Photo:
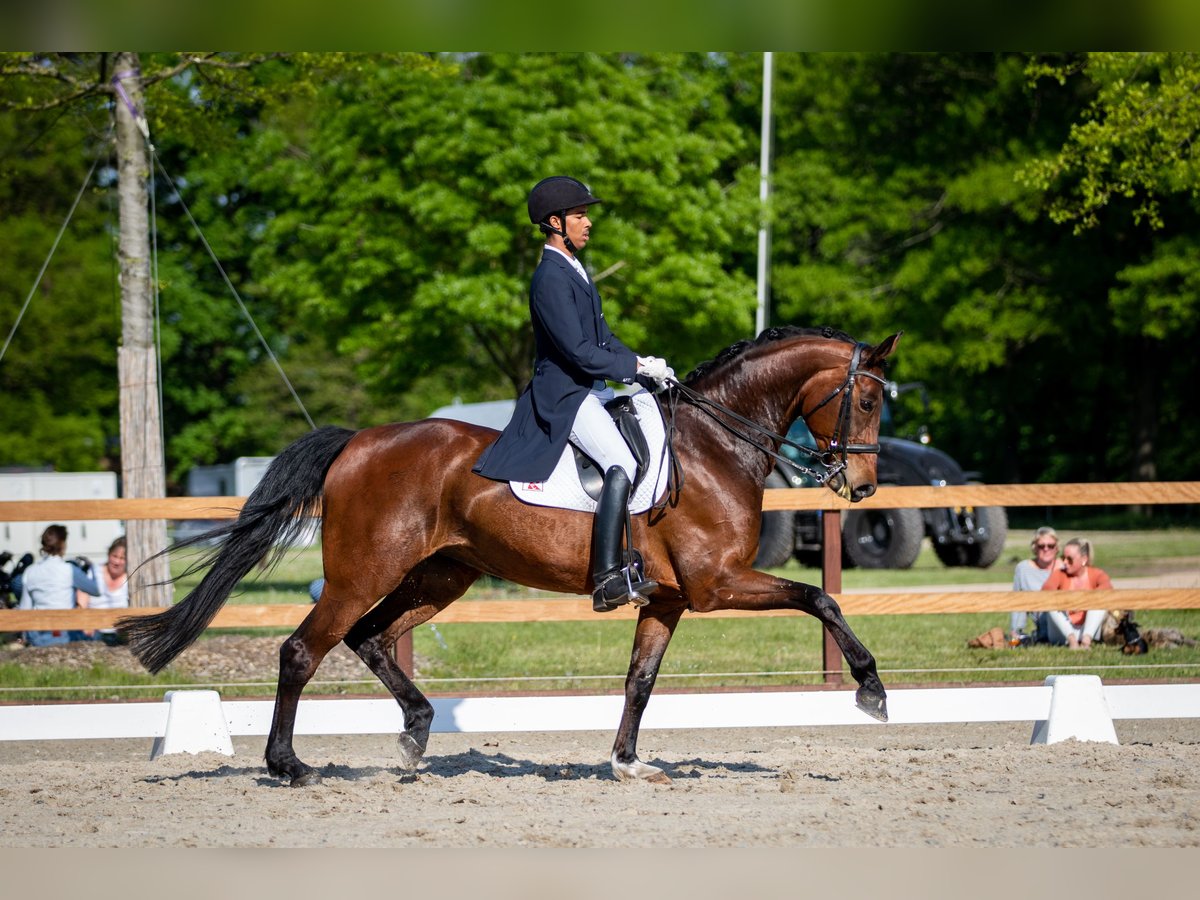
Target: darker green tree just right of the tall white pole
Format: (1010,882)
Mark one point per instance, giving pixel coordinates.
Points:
(896,207)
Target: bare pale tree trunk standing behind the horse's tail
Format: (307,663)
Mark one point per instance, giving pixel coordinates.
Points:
(143,472)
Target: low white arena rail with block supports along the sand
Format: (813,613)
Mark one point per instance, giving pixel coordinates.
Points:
(1065,707)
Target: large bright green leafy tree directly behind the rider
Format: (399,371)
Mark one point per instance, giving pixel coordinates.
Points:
(395,221)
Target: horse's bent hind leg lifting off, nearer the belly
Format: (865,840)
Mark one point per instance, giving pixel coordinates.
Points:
(427,591)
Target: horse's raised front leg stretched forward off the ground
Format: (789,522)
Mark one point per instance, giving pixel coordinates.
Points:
(752,590)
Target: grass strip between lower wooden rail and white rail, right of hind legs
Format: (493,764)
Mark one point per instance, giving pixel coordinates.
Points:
(707,653)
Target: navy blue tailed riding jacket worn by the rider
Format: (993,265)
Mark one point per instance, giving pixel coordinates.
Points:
(575,353)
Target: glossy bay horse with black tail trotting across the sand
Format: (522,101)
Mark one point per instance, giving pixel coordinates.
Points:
(406,520)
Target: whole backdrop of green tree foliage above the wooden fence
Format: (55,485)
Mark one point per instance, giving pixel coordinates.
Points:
(1028,221)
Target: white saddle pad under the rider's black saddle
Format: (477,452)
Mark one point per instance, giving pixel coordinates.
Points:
(575,483)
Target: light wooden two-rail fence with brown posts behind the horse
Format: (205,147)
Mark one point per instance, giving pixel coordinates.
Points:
(580,609)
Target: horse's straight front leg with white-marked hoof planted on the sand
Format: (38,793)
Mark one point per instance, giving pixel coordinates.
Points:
(655,631)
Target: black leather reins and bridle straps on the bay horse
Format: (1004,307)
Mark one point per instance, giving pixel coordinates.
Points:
(832,461)
